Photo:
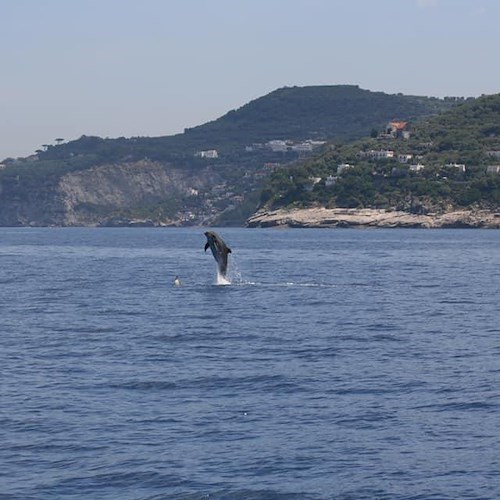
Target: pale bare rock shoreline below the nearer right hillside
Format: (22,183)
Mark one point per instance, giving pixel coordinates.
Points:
(346,217)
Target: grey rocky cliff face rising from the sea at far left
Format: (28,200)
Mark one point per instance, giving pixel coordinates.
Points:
(94,196)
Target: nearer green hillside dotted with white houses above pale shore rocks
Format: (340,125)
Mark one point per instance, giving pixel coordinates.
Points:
(448,162)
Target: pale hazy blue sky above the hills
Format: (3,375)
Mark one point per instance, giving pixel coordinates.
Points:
(154,67)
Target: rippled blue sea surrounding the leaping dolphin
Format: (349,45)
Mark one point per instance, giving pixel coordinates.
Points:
(338,364)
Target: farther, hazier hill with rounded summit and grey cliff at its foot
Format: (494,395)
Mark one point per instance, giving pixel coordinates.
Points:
(209,174)
